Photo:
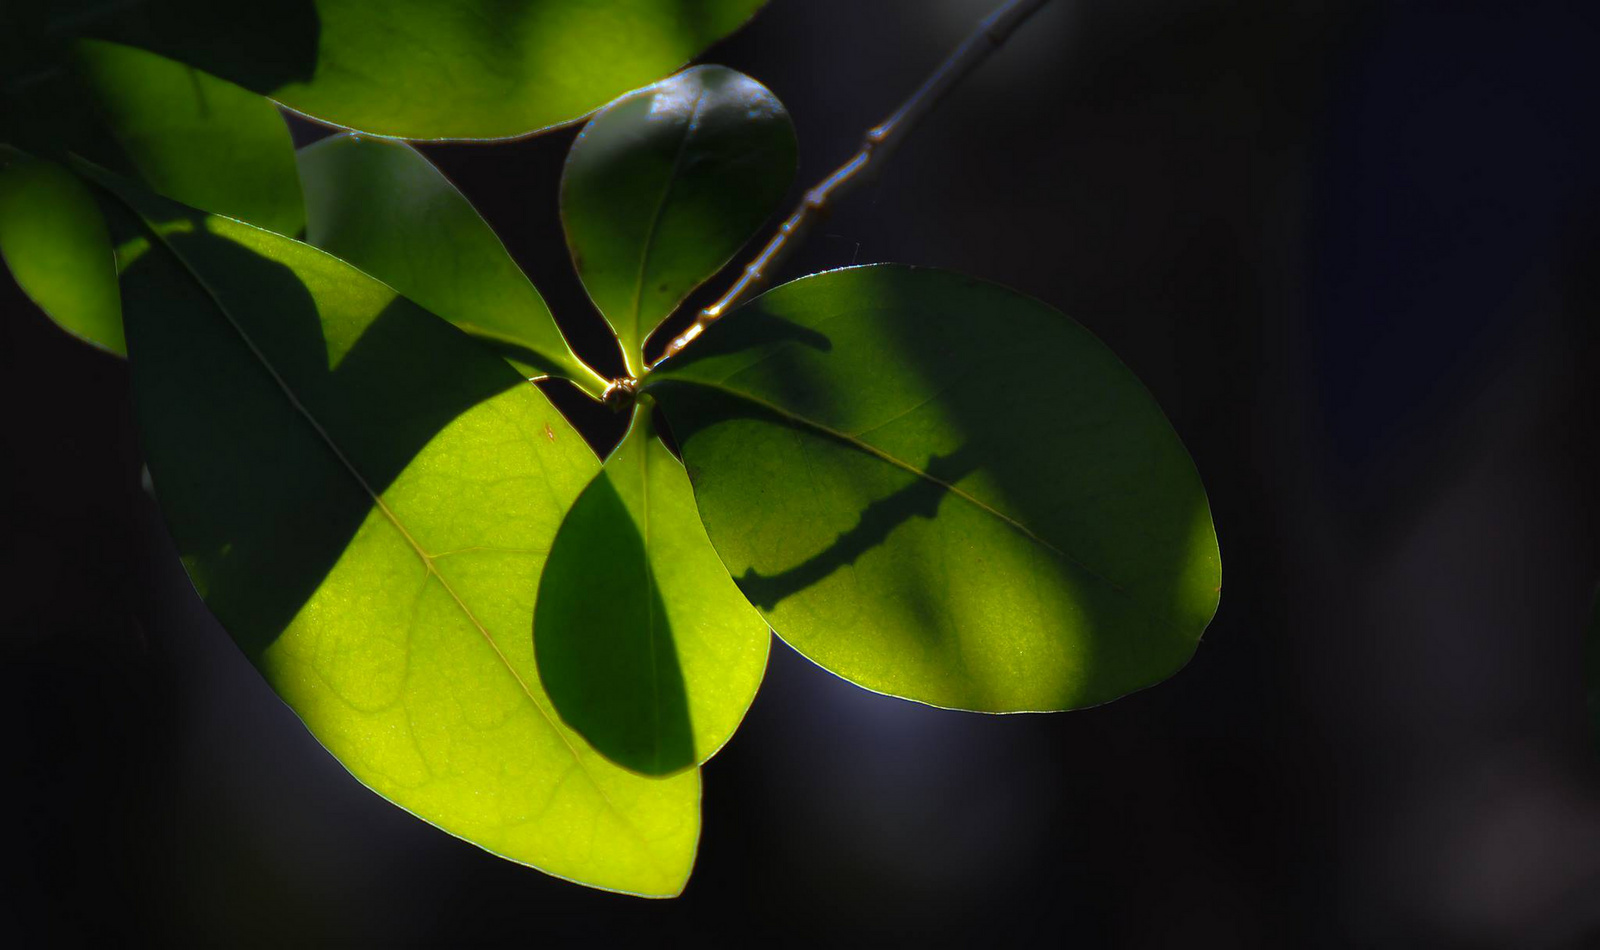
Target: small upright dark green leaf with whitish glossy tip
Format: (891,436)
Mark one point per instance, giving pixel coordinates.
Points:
(665,186)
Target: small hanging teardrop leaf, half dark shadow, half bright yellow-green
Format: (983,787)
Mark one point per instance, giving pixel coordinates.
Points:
(644,642)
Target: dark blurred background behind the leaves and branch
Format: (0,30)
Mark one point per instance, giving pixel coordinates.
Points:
(1353,250)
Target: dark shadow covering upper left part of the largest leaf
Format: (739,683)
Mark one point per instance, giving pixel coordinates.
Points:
(265,437)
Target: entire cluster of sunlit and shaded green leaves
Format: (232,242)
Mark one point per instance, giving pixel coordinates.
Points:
(930,485)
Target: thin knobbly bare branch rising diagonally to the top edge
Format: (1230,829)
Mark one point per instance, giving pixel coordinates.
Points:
(878,146)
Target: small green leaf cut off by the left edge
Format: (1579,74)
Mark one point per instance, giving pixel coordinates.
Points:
(55,242)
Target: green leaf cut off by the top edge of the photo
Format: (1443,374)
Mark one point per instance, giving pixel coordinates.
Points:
(422,70)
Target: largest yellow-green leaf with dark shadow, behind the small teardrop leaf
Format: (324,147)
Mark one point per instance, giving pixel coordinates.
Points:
(366,500)
